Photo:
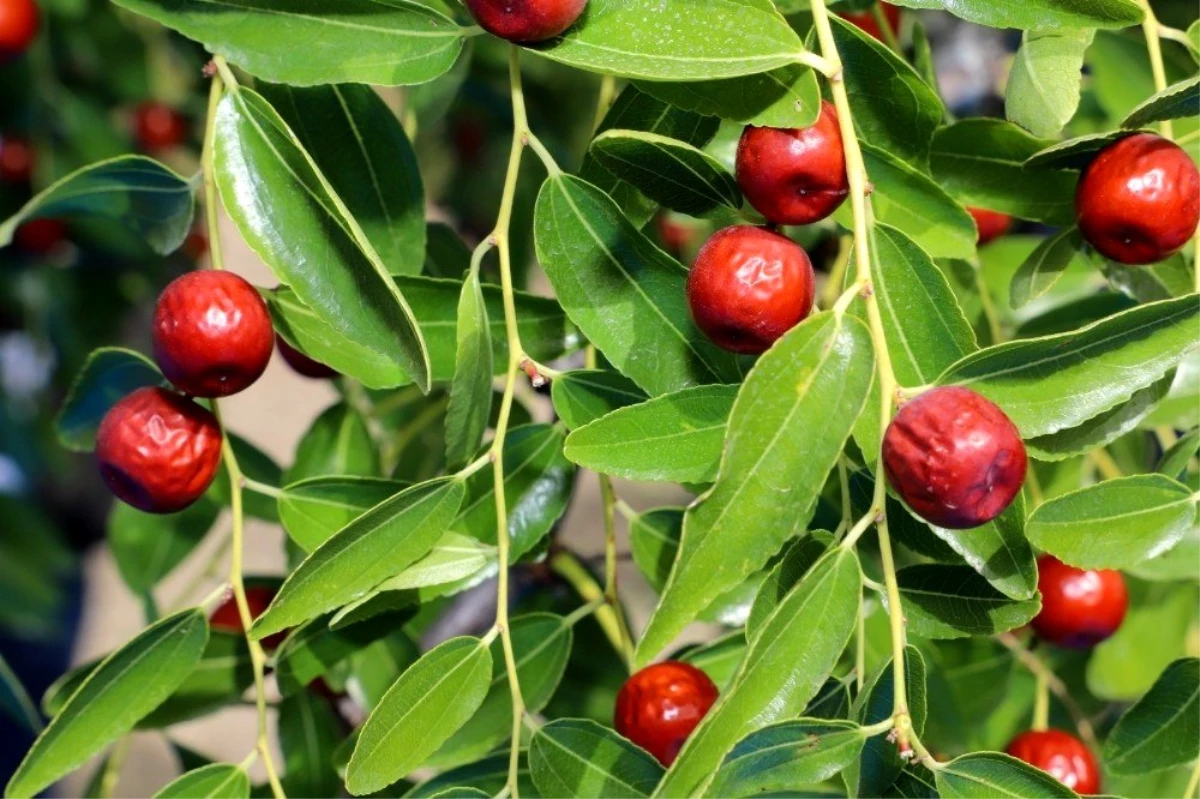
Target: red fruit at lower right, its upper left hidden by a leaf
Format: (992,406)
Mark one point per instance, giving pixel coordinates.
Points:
(1081,608)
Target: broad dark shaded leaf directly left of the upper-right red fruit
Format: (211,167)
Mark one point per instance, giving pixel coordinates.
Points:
(982,163)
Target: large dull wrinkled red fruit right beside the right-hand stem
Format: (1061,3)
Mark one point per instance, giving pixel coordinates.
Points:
(955,458)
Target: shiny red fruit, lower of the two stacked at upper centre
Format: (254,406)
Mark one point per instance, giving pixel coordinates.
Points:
(748,287)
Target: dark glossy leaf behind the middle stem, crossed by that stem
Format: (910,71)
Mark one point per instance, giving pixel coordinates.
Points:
(538,484)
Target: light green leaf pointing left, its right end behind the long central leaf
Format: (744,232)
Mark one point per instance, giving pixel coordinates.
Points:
(673,438)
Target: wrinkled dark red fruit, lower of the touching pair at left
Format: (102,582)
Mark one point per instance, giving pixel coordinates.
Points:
(158,450)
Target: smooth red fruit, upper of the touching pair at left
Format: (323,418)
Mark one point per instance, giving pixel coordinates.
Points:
(212,334)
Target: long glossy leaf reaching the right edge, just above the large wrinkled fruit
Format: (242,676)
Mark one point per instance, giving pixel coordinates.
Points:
(1059,382)
